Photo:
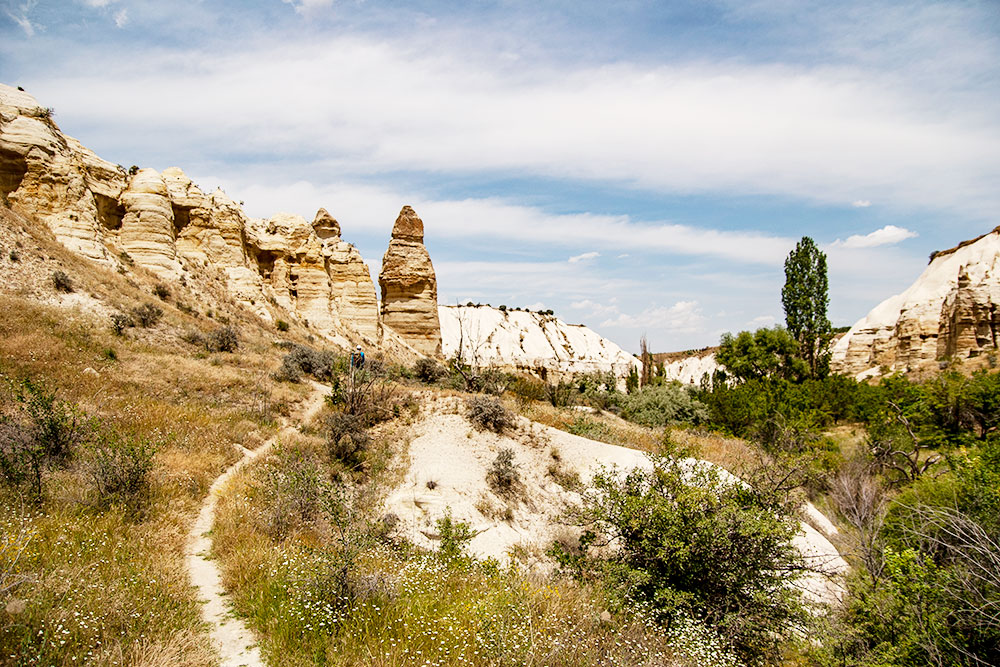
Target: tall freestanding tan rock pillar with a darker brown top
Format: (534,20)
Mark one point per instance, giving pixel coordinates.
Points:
(409,287)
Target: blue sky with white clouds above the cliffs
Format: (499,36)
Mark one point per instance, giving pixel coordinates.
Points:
(640,167)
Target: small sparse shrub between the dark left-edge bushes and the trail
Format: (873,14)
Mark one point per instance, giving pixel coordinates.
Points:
(119,468)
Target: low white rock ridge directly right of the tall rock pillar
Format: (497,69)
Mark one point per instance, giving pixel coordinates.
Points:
(527,341)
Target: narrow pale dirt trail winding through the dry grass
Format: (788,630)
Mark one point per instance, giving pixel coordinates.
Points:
(233,640)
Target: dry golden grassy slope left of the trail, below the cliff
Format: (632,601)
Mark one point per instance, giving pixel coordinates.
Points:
(109,584)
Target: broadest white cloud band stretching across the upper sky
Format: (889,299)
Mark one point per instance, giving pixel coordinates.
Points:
(818,133)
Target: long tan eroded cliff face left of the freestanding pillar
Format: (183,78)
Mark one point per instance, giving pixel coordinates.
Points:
(166,224)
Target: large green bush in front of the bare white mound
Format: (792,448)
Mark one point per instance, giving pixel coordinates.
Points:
(687,542)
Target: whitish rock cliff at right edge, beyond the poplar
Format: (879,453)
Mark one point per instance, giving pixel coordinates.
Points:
(950,312)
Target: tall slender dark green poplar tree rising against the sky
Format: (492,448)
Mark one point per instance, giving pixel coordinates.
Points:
(805,299)
